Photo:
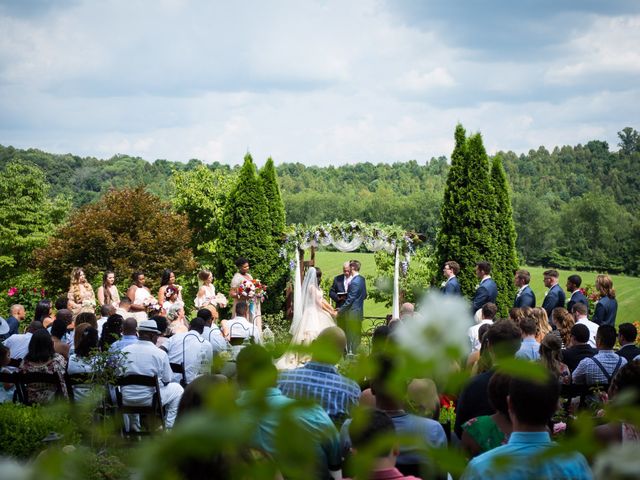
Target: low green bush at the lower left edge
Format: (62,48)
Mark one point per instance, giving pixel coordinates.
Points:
(24,428)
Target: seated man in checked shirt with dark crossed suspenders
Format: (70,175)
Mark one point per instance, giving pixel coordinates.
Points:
(604,365)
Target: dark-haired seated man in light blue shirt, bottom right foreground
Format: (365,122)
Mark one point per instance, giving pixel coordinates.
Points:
(531,406)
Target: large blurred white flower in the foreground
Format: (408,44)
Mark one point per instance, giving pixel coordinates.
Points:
(438,329)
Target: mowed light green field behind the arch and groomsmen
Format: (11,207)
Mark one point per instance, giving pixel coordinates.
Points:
(627,288)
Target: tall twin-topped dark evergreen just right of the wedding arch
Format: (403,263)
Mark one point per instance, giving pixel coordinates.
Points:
(466,229)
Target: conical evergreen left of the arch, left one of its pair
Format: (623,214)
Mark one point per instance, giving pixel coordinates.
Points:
(246,231)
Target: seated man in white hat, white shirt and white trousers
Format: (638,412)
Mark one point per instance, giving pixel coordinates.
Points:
(144,358)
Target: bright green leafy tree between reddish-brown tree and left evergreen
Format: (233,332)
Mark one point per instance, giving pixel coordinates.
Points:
(201,194)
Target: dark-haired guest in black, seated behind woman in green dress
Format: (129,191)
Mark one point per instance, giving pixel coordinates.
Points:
(503,341)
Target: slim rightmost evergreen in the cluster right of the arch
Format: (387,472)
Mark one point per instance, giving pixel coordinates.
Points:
(505,258)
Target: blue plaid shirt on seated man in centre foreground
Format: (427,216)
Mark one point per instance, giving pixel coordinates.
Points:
(323,384)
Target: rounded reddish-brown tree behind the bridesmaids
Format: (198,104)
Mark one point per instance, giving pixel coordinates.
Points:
(127,230)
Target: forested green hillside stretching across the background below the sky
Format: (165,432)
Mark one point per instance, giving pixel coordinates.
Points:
(574,207)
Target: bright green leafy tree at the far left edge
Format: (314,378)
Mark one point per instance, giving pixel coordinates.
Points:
(27,215)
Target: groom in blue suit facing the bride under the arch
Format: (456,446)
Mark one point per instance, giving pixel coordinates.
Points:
(351,313)
